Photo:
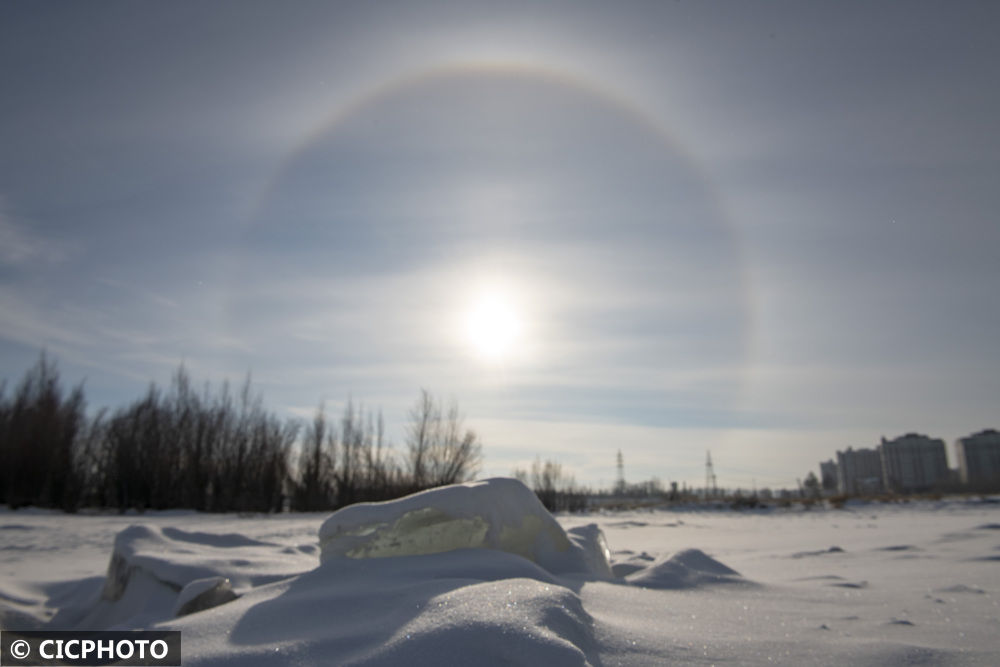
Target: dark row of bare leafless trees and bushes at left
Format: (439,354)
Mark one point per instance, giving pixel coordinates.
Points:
(215,451)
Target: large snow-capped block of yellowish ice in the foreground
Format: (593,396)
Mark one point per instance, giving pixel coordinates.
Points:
(498,513)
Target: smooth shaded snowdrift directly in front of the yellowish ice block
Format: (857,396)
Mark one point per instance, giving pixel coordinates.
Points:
(467,606)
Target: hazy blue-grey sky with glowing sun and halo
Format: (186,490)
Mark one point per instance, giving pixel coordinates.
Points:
(762,229)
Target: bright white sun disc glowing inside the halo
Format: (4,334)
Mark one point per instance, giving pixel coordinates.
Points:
(493,326)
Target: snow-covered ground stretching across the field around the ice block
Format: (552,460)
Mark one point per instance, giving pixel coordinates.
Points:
(871,584)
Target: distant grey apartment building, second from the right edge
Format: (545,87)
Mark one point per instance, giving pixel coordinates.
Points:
(913,463)
